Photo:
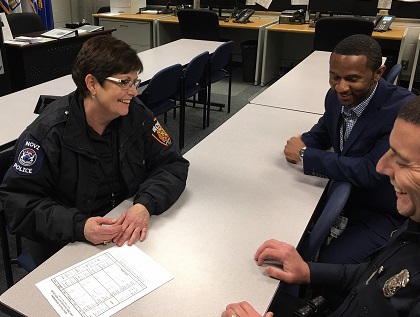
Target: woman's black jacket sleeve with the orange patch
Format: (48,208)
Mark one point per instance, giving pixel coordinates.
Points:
(166,172)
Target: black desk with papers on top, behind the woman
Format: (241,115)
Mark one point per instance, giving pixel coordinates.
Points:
(37,63)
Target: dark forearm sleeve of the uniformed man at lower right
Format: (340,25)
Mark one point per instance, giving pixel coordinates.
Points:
(341,276)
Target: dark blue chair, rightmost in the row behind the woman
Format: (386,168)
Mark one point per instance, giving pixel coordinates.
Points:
(220,67)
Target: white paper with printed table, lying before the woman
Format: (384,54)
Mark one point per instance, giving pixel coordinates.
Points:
(105,283)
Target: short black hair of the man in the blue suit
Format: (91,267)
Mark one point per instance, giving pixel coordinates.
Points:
(361,44)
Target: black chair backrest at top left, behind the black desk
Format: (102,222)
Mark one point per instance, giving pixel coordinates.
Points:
(26,22)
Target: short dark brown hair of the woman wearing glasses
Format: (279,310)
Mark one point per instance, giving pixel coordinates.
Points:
(103,56)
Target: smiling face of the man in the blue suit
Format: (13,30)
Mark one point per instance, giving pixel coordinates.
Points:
(352,79)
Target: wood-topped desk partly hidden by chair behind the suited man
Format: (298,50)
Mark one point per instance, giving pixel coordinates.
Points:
(294,42)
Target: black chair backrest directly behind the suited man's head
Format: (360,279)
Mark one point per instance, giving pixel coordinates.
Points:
(330,31)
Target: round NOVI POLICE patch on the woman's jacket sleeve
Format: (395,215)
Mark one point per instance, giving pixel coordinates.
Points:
(29,159)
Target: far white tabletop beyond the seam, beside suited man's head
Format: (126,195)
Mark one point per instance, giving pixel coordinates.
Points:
(303,88)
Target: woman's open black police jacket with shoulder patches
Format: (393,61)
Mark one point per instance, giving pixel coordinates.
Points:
(48,192)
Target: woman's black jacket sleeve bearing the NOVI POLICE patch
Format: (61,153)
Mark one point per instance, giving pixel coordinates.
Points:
(28,198)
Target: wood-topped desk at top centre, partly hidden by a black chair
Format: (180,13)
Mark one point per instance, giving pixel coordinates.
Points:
(168,30)
